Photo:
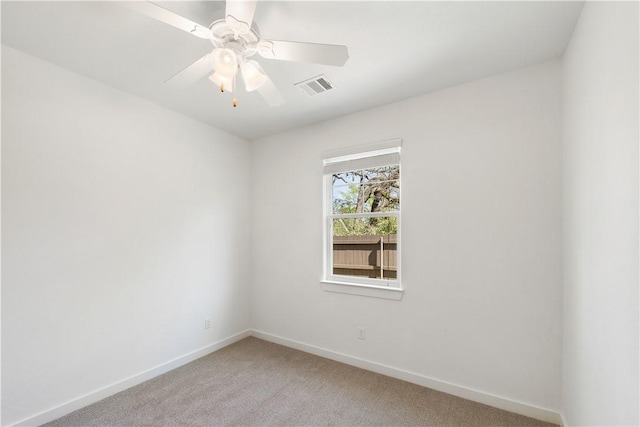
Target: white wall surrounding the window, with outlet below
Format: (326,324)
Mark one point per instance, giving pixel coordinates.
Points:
(481,245)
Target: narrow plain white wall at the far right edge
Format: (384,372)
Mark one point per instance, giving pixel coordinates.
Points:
(600,168)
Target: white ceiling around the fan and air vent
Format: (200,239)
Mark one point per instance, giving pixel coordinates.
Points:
(397,50)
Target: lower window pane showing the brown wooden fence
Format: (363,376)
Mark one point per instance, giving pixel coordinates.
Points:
(365,247)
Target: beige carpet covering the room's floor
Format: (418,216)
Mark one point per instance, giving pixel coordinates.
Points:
(257,383)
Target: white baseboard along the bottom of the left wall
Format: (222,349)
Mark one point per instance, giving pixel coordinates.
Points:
(94,396)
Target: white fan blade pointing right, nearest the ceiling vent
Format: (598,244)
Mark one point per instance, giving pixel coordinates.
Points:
(328,54)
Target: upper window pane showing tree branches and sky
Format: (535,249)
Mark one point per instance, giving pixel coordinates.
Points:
(368,190)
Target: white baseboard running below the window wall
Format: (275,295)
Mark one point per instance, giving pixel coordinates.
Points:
(446,387)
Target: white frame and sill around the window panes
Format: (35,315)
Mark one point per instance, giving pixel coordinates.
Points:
(355,158)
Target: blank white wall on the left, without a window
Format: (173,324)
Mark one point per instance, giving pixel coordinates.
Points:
(124,225)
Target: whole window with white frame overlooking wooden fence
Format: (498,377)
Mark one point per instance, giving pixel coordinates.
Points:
(362,217)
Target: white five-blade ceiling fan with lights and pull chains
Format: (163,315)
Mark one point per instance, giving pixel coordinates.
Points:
(235,39)
